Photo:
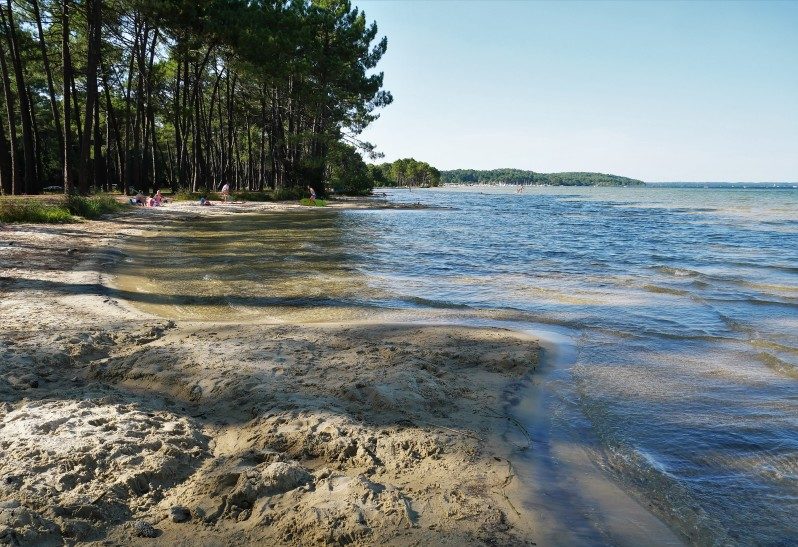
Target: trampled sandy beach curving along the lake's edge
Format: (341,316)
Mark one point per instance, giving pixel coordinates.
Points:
(117,427)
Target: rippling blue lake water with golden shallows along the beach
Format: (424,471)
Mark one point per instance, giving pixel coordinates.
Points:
(681,306)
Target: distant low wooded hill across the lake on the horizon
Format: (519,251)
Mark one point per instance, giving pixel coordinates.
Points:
(518,176)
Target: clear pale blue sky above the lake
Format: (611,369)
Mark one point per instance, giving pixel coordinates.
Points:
(658,91)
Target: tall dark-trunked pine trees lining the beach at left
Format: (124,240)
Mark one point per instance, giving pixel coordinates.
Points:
(188,94)
